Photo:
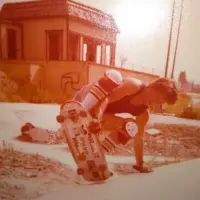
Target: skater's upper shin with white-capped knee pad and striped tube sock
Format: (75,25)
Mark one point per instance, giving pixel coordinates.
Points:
(102,88)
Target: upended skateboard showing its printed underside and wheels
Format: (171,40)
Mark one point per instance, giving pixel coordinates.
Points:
(84,145)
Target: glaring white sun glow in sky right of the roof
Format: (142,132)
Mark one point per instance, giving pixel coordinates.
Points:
(139,18)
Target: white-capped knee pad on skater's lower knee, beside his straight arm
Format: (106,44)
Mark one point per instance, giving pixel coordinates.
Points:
(128,131)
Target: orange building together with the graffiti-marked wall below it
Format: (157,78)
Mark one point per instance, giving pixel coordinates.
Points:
(58,45)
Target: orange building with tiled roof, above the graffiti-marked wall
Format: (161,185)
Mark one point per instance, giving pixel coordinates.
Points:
(57,30)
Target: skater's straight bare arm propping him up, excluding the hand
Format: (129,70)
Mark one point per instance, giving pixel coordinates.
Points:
(139,138)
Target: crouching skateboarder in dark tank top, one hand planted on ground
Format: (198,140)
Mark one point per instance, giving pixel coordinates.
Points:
(112,94)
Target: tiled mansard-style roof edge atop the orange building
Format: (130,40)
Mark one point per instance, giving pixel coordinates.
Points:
(57,8)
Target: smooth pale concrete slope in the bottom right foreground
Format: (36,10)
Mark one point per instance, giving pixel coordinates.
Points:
(174,182)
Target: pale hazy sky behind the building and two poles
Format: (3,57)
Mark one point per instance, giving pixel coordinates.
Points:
(144,34)
